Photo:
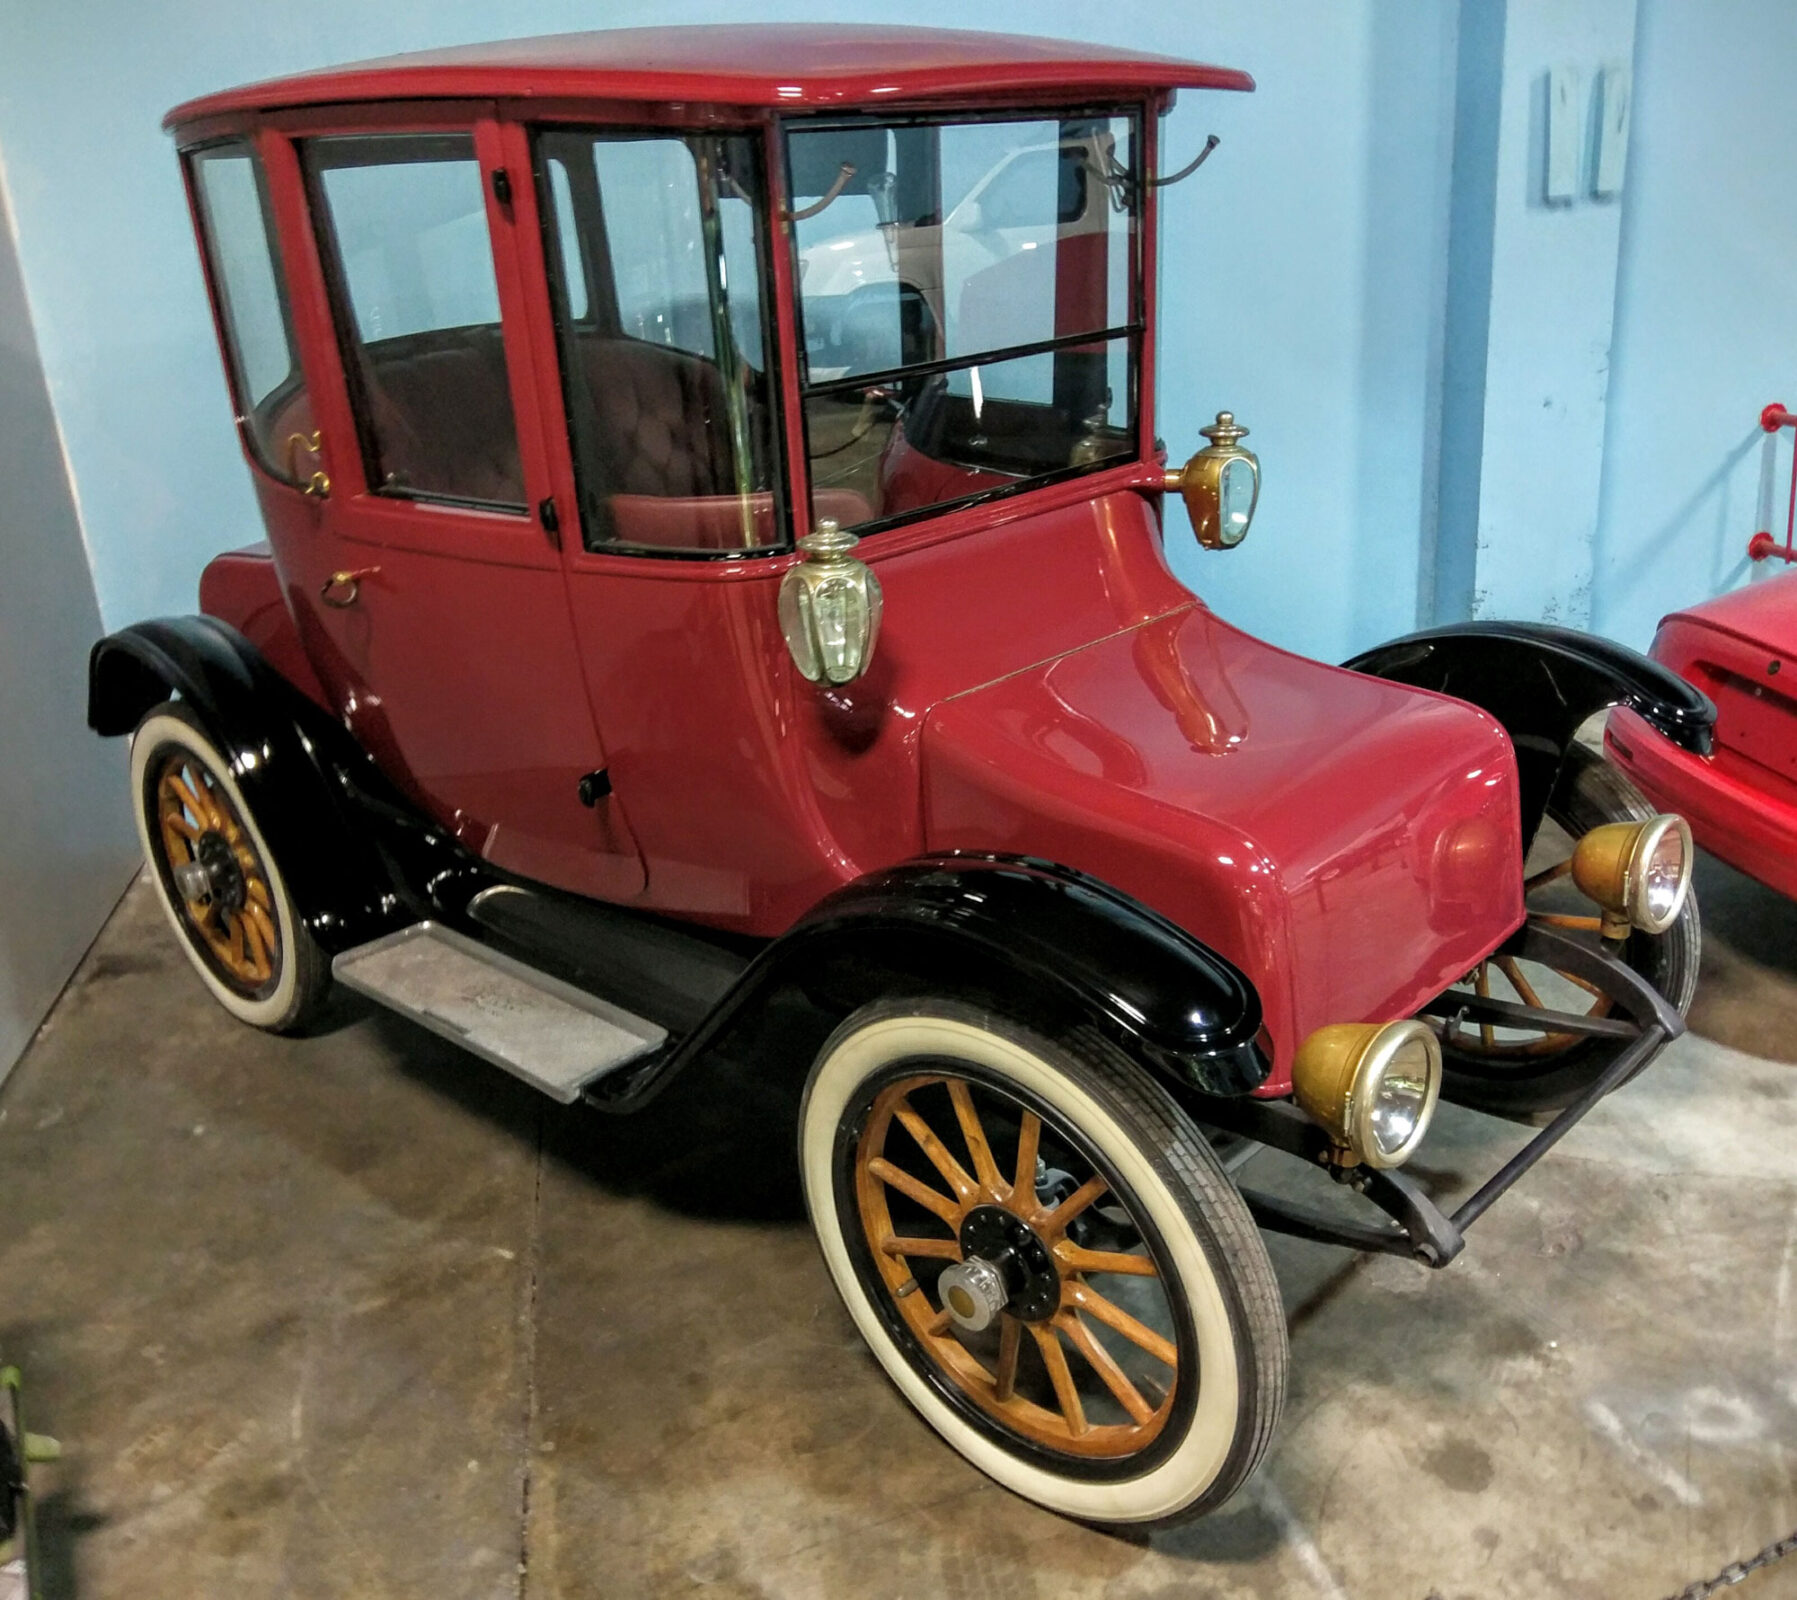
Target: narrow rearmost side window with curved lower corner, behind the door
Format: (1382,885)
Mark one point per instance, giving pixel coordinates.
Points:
(240,240)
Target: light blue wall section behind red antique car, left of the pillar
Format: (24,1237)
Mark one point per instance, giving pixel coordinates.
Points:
(1304,267)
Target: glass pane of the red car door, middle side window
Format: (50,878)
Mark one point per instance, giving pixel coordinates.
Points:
(403,226)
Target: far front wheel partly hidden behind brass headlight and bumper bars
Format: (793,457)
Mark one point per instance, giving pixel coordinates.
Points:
(1539,1069)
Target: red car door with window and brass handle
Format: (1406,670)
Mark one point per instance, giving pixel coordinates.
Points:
(434,592)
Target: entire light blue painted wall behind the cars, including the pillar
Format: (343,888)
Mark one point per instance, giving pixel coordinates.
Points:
(1306,285)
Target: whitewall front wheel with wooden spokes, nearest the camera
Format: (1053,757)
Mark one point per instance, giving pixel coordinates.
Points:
(1047,1259)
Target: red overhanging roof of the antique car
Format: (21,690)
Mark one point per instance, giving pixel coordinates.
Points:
(793,66)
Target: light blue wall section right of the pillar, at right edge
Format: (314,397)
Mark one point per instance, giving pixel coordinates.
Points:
(1706,308)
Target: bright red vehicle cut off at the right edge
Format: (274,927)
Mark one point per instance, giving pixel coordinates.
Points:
(1742,797)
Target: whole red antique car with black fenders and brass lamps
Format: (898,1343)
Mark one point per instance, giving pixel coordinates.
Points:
(716,564)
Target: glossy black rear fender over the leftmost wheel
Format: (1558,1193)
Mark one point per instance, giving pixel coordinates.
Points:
(321,803)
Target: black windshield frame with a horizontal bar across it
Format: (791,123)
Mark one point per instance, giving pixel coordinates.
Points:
(1133,332)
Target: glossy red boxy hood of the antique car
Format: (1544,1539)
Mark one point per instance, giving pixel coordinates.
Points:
(1350,844)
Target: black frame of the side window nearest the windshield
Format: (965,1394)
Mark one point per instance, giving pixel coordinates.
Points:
(599,285)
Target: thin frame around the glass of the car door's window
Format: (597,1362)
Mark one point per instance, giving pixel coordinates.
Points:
(344,324)
